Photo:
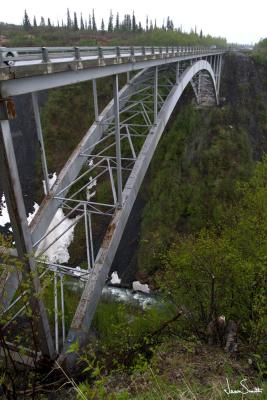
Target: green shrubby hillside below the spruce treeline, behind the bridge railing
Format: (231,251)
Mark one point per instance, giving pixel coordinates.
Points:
(15,35)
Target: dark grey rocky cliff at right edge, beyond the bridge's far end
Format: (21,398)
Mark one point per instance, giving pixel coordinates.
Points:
(244,91)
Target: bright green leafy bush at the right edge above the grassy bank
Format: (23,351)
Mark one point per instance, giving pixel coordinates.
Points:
(235,256)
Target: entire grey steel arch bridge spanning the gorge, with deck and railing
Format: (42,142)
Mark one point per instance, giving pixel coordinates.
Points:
(115,152)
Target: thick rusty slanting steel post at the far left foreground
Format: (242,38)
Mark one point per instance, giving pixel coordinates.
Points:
(17,213)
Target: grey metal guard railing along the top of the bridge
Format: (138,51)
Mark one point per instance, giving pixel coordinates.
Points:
(29,55)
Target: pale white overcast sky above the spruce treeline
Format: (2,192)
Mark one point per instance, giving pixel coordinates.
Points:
(239,21)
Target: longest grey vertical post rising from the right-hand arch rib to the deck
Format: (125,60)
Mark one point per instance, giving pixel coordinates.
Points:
(118,139)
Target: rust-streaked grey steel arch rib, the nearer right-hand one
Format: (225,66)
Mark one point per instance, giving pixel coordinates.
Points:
(106,253)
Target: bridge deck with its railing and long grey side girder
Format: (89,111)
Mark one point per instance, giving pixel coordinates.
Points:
(20,65)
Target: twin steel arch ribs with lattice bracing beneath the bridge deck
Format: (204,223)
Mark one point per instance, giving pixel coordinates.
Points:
(99,185)
